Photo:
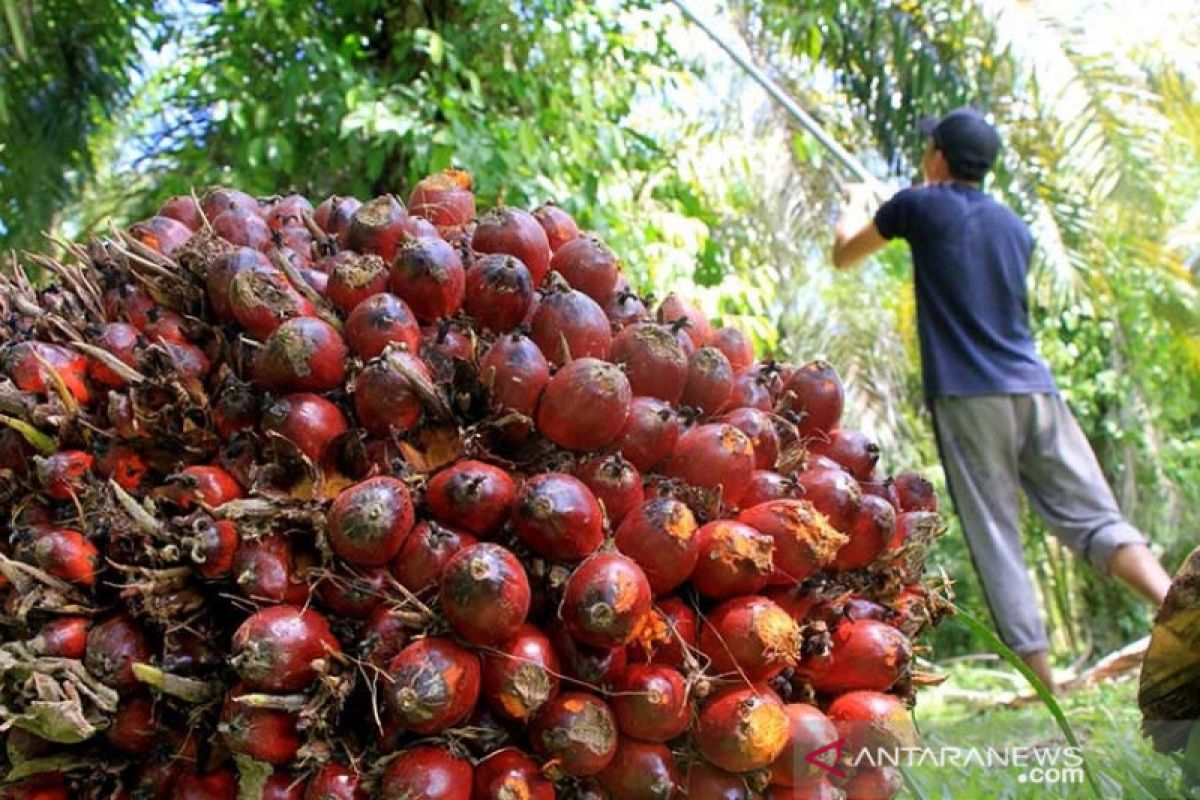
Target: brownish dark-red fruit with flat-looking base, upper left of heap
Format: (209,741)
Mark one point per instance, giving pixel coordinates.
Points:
(304,354)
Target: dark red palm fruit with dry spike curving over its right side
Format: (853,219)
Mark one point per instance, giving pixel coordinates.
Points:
(388,393)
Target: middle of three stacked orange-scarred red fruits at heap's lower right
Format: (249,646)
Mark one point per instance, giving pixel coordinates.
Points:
(751,636)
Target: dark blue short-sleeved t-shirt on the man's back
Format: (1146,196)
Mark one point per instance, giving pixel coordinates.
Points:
(970,257)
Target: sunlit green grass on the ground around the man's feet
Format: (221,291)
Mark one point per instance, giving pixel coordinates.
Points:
(1105,719)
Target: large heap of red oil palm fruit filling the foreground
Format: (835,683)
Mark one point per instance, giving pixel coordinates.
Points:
(364,501)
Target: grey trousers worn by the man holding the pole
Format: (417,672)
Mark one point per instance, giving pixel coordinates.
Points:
(993,446)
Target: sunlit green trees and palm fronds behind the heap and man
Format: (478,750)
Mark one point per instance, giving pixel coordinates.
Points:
(625,116)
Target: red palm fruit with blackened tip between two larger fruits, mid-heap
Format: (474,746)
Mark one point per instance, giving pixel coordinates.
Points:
(472,496)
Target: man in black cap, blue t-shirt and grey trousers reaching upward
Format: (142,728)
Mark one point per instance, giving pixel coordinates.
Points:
(998,417)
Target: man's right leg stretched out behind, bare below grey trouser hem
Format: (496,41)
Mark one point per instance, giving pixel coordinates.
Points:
(1066,486)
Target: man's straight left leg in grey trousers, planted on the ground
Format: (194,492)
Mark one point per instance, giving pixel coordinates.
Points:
(979,442)
